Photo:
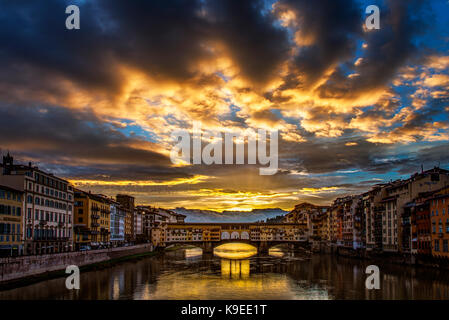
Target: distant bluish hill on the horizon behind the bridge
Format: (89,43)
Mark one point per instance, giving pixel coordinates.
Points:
(196,215)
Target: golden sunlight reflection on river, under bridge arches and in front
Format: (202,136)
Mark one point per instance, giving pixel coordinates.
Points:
(235,282)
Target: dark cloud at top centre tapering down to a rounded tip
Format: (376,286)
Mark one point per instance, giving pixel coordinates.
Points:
(250,35)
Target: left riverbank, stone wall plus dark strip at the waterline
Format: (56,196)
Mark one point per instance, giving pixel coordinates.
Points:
(22,271)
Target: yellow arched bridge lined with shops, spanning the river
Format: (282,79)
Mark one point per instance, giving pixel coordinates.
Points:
(207,236)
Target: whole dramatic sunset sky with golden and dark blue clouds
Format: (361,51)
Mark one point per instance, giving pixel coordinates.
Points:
(354,107)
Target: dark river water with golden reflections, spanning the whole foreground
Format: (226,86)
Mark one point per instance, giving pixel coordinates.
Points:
(236,272)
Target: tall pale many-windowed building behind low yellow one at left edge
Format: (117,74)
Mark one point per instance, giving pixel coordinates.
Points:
(47,210)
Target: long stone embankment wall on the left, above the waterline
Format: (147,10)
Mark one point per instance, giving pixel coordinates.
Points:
(26,266)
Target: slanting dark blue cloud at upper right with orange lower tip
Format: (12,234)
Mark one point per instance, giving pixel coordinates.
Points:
(388,49)
